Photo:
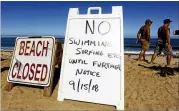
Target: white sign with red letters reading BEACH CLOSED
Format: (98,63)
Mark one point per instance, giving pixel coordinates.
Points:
(32,61)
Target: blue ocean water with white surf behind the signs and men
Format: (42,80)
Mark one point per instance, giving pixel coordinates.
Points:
(130,46)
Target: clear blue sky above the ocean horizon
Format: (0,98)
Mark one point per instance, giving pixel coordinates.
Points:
(50,18)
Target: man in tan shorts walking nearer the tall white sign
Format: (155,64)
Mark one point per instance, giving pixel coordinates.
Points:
(143,36)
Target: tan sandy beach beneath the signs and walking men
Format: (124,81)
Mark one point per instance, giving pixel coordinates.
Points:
(145,89)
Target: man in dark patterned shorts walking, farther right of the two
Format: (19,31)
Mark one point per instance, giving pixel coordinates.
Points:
(163,43)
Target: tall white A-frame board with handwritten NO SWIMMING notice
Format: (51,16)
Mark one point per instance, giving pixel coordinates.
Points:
(93,61)
